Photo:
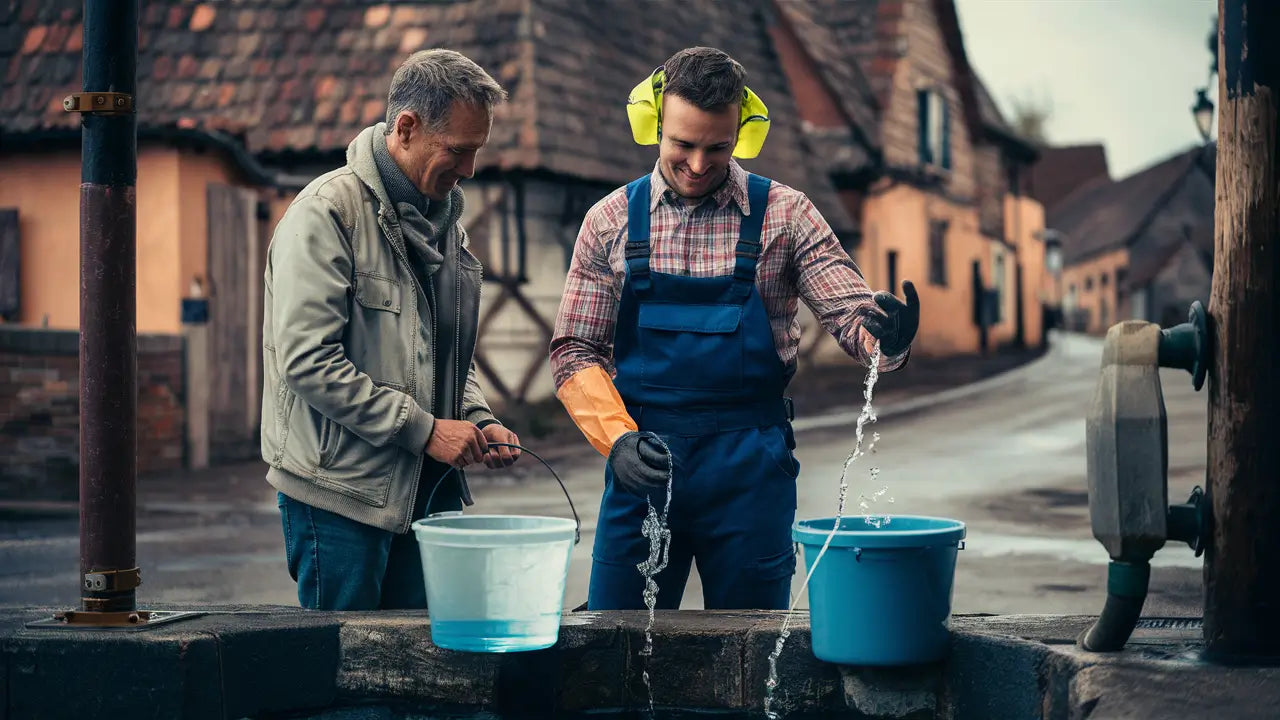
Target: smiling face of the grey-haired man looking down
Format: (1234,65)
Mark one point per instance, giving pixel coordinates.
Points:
(437,161)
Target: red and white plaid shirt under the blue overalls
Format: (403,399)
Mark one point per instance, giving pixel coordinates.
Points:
(801,259)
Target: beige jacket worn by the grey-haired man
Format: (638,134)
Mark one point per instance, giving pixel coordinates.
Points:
(349,353)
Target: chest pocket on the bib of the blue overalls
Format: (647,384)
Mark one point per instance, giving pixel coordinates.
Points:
(692,347)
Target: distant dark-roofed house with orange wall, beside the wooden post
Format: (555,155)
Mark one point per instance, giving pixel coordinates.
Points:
(1141,248)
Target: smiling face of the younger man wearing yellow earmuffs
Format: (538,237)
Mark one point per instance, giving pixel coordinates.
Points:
(697,145)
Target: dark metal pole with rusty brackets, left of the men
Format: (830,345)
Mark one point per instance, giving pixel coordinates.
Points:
(108,341)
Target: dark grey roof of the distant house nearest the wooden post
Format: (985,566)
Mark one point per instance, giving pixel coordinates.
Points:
(1107,216)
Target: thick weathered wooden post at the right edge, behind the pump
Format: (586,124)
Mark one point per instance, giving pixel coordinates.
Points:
(1242,584)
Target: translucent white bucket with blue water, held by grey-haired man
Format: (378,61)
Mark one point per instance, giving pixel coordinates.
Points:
(495,584)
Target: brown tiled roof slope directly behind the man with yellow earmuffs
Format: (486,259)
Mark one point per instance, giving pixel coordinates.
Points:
(591,56)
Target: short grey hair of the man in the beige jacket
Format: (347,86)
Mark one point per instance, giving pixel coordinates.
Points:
(429,81)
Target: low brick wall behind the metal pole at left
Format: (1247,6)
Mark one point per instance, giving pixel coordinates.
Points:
(40,411)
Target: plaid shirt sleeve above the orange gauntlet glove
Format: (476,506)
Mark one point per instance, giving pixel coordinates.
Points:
(588,312)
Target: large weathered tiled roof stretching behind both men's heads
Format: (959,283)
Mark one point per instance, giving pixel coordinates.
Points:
(299,78)
